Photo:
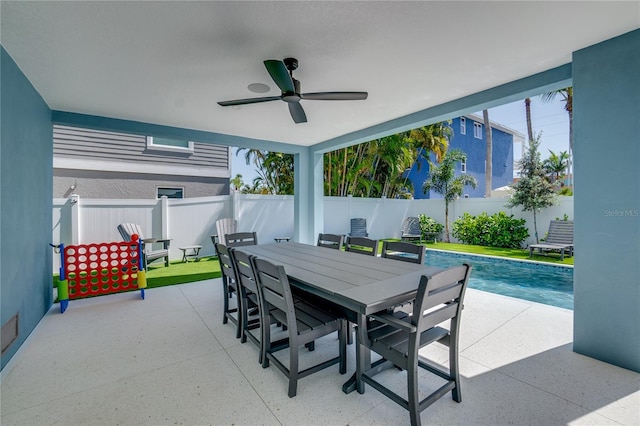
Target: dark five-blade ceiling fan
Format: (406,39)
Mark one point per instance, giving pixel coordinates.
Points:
(282,73)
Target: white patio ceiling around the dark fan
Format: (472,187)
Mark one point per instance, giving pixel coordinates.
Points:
(170,63)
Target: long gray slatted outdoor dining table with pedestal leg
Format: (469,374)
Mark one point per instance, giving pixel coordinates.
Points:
(361,285)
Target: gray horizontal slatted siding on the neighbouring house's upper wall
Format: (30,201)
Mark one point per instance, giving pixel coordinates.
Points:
(77,143)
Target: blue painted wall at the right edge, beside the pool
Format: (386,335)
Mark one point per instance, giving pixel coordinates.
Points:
(606,111)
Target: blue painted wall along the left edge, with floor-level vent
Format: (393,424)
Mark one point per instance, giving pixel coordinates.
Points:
(26,179)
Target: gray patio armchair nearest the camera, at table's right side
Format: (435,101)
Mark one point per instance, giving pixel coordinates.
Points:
(398,338)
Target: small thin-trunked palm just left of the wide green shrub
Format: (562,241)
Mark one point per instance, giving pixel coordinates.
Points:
(442,179)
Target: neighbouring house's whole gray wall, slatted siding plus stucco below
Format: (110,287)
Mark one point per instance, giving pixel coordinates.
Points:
(133,180)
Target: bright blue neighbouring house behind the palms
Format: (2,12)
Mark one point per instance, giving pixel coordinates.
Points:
(476,149)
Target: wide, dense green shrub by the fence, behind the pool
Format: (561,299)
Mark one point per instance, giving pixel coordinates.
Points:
(498,230)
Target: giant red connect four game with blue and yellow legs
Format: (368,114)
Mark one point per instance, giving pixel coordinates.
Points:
(89,270)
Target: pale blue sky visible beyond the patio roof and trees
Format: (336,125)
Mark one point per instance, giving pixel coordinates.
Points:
(549,118)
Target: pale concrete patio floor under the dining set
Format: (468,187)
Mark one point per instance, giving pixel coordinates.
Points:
(170,360)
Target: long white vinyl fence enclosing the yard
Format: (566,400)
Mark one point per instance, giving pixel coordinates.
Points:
(191,221)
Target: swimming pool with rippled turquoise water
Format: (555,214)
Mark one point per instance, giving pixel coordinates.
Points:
(548,284)
